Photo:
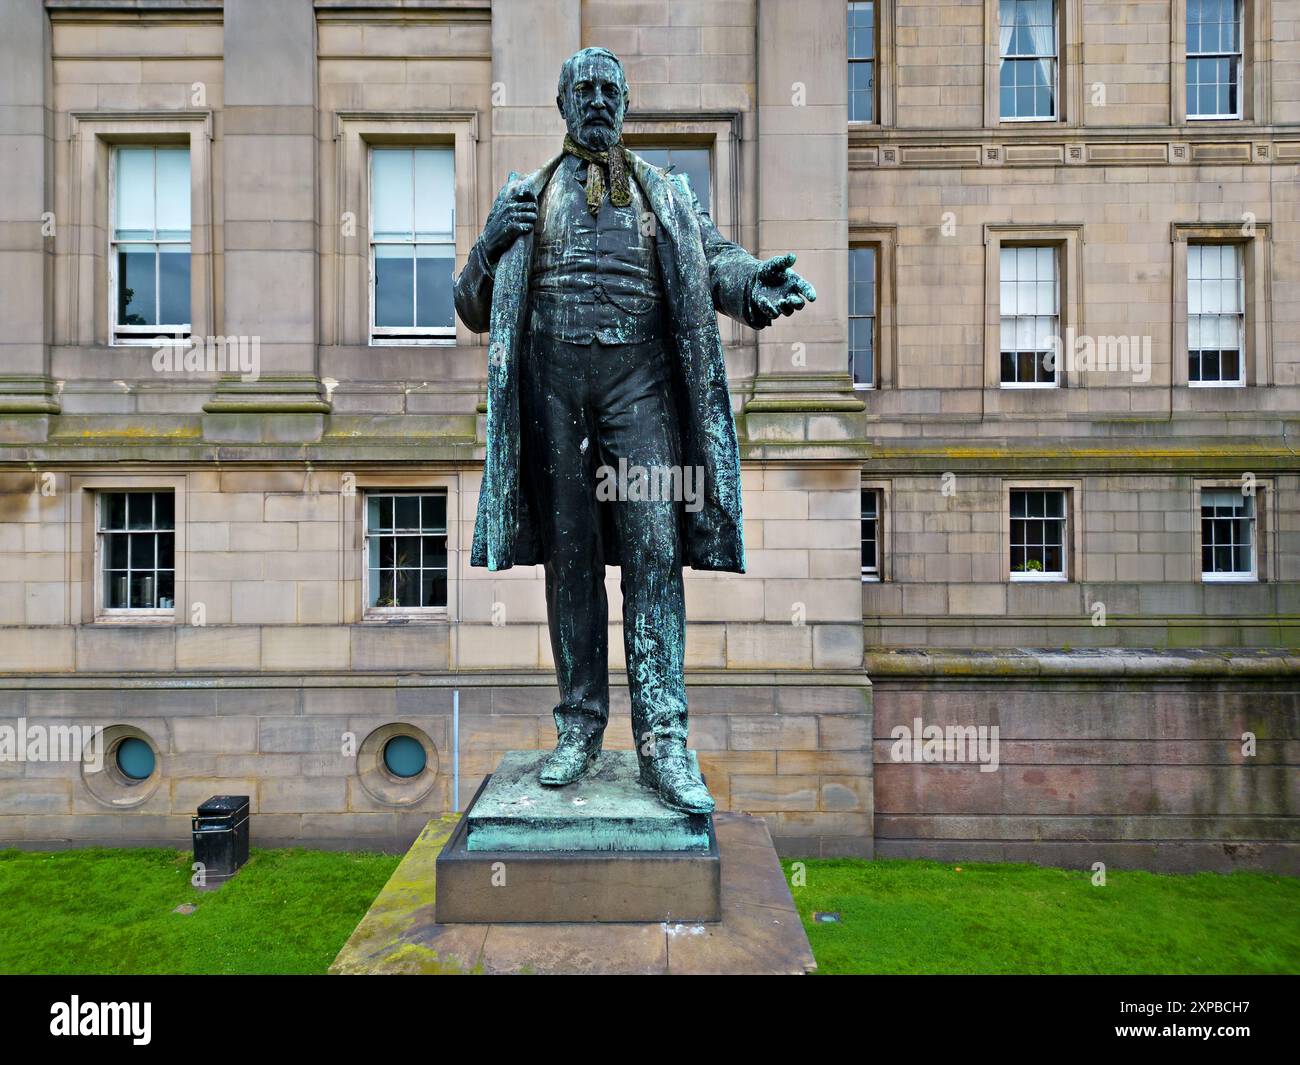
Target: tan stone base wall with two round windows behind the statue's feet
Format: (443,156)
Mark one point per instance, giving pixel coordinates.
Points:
(796,754)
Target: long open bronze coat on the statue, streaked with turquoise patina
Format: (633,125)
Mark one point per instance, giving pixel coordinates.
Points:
(701,274)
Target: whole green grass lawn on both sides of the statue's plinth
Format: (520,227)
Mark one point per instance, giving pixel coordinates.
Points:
(106,911)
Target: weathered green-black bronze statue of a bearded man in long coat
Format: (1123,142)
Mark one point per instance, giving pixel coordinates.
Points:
(597,279)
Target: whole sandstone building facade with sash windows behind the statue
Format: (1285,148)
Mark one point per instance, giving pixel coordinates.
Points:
(942,526)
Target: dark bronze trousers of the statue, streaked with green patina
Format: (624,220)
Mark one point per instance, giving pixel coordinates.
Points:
(590,412)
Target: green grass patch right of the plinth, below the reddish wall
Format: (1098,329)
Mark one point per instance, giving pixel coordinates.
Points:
(926,917)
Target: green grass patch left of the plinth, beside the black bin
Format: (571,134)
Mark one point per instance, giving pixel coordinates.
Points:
(103,911)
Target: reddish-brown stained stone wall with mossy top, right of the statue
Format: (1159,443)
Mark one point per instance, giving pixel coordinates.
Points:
(1117,759)
